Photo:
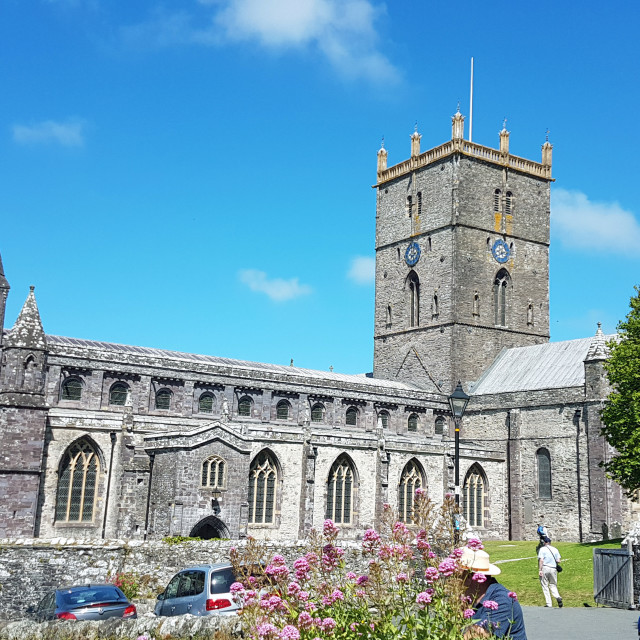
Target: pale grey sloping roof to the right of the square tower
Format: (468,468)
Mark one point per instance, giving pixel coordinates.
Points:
(554,365)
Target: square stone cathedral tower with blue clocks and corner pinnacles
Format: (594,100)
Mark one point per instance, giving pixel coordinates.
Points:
(462,259)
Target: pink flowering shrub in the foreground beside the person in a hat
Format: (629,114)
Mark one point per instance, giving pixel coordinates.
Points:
(413,588)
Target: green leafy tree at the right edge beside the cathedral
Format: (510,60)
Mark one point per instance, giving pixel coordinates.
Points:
(621,415)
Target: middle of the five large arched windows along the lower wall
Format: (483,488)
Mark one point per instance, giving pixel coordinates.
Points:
(342,484)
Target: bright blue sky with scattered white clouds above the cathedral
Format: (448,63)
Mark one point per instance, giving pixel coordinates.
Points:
(196,175)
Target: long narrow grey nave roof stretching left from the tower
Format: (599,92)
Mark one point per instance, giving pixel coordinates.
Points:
(102,350)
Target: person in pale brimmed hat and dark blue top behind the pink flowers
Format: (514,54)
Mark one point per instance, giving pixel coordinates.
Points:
(493,604)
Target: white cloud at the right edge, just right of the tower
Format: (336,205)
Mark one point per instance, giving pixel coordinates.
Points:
(599,226)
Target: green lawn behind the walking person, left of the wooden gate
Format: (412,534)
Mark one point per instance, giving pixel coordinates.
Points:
(575,583)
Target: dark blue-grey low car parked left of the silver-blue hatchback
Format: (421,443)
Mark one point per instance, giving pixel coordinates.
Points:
(84,602)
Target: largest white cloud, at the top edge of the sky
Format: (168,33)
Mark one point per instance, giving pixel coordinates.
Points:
(343,31)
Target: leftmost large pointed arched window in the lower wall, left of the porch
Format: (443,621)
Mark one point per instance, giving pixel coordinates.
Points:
(77,483)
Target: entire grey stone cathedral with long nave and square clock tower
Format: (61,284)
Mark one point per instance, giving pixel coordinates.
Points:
(111,441)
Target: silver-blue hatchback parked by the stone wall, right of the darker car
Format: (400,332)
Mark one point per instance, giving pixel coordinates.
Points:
(200,591)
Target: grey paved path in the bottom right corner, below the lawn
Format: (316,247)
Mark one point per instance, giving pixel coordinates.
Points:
(574,623)
